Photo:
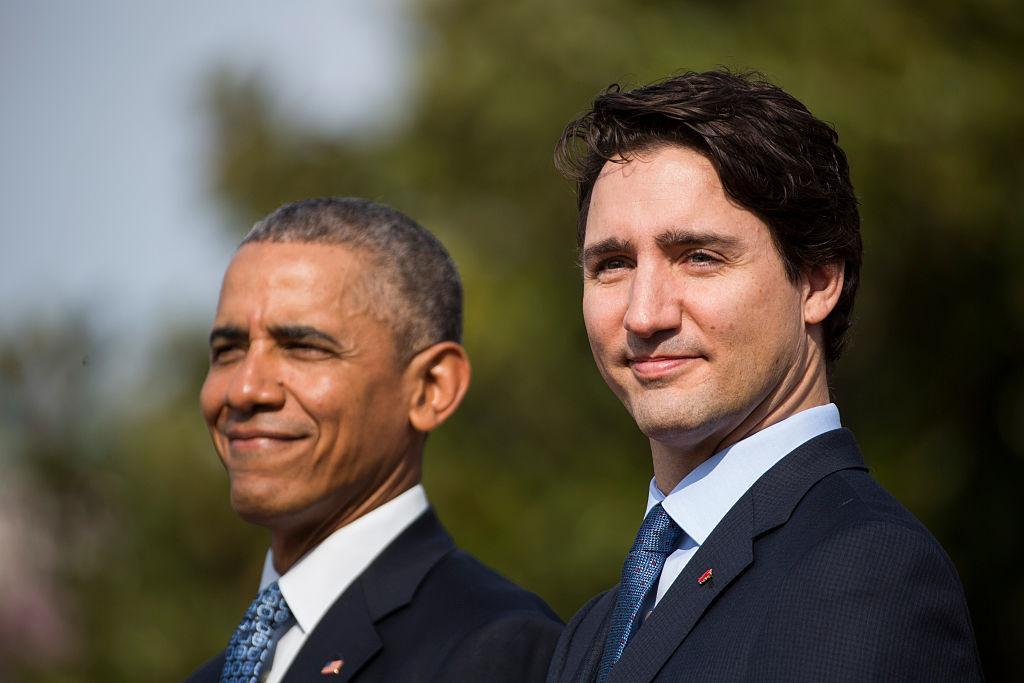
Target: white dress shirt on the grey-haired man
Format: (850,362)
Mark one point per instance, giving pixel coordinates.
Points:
(323,575)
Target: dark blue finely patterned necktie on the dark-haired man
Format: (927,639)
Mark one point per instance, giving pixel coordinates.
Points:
(657,539)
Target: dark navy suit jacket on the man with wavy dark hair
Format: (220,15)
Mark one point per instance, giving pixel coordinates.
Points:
(818,575)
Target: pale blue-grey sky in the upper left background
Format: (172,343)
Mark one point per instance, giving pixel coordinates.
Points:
(104,179)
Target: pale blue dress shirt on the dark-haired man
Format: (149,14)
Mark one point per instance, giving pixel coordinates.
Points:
(700,502)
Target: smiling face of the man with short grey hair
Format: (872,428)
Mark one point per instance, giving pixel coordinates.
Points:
(306,399)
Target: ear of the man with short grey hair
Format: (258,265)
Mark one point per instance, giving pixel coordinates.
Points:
(441,378)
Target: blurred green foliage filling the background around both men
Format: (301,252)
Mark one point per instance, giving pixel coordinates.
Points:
(159,570)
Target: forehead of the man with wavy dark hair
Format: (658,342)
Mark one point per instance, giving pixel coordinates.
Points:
(666,189)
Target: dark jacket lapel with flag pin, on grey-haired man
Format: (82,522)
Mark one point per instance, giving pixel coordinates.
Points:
(348,631)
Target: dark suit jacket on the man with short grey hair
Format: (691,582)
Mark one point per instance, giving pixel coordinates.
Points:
(424,611)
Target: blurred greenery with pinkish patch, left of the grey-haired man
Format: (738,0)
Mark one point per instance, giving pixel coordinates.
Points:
(118,535)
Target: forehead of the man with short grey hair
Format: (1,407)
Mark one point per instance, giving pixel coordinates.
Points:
(285,280)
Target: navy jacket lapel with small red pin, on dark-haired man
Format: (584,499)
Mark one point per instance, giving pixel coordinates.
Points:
(730,550)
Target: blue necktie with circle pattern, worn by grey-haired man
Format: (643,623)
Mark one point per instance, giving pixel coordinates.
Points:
(245,660)
